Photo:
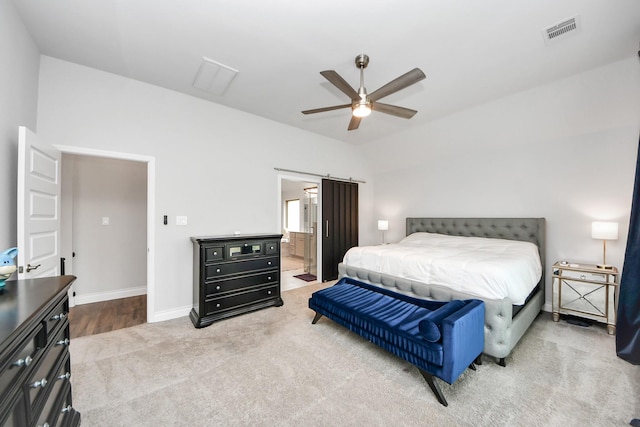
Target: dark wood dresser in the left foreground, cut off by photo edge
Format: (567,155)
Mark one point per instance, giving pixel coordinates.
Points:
(35,369)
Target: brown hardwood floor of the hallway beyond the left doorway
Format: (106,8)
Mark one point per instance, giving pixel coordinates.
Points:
(99,317)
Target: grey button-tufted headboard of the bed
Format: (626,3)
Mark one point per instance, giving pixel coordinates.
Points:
(524,229)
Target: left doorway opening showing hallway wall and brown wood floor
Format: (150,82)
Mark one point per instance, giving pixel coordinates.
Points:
(104,240)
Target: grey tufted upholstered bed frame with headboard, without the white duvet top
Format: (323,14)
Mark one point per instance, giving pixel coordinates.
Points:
(507,318)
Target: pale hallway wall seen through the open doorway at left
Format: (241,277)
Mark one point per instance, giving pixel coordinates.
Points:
(111,260)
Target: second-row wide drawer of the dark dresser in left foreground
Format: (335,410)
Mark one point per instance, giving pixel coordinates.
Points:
(39,384)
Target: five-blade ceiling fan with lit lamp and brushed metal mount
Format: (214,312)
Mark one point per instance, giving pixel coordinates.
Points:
(362,103)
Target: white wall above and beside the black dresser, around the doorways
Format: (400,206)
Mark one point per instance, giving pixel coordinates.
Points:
(213,164)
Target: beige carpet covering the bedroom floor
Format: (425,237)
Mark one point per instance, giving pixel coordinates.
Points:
(273,368)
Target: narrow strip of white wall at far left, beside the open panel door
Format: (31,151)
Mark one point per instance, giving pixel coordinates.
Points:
(19,59)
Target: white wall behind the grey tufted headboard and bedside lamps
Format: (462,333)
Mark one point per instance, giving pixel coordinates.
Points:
(565,151)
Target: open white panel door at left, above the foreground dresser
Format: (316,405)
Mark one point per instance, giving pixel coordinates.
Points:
(39,190)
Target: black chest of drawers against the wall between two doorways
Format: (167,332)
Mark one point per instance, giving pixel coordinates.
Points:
(234,275)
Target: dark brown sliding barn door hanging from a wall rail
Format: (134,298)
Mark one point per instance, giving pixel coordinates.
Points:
(339,224)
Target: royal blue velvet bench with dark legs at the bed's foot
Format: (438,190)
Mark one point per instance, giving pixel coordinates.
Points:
(440,338)
